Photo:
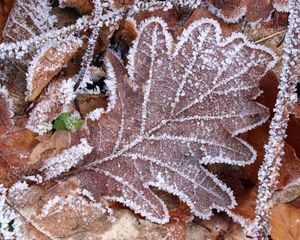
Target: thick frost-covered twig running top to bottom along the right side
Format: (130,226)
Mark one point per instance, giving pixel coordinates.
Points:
(269,171)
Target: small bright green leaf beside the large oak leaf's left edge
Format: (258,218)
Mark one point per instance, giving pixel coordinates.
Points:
(67,122)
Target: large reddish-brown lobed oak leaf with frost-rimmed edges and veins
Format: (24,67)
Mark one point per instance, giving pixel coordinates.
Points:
(182,106)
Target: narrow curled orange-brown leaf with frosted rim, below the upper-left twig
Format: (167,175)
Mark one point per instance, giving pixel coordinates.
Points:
(47,63)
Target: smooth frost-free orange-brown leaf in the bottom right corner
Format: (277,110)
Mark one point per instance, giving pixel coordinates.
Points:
(285,222)
